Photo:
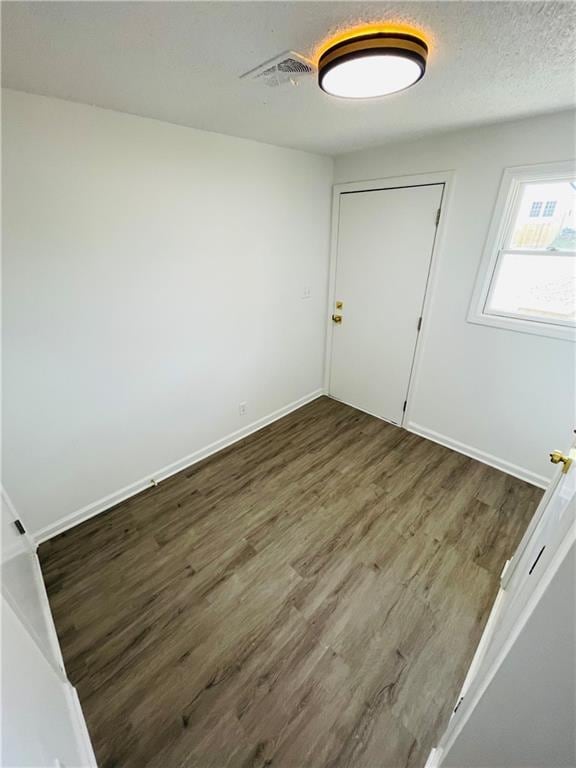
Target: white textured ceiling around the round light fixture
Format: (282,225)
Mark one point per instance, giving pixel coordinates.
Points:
(181,61)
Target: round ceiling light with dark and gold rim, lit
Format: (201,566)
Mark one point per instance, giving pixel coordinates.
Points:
(373,64)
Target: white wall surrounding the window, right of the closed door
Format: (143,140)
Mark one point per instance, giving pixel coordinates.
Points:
(505,394)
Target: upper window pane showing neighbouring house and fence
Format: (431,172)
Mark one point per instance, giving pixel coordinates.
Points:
(545,217)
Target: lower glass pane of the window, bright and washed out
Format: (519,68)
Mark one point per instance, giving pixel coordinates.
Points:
(538,287)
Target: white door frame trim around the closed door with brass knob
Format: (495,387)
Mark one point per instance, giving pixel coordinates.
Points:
(392,182)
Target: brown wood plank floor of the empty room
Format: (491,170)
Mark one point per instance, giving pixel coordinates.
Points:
(309,597)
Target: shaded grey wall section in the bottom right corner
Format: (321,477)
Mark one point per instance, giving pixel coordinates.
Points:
(527,715)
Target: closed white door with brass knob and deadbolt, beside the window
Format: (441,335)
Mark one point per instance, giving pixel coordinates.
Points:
(385,243)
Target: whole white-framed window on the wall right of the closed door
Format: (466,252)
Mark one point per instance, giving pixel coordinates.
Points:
(527,280)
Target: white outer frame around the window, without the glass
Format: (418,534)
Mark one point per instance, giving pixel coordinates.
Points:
(504,210)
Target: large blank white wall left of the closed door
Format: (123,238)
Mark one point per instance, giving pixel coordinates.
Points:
(154,279)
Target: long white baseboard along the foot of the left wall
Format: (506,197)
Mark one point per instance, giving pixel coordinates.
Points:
(90,510)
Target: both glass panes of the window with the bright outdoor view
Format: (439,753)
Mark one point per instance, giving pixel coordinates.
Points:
(535,273)
